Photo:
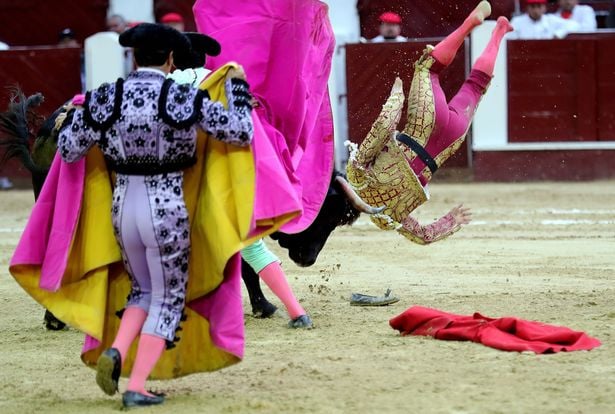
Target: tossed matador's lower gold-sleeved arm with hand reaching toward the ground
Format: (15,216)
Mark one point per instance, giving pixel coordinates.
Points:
(440,229)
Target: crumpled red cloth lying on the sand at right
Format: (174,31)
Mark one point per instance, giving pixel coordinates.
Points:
(506,334)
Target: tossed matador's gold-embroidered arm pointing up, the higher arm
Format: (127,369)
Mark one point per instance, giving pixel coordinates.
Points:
(383,127)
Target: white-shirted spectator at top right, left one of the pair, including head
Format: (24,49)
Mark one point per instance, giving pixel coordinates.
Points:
(536,24)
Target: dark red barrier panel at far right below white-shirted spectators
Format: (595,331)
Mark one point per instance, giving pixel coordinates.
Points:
(562,90)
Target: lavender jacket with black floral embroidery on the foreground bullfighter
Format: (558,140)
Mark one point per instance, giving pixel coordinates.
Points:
(148,124)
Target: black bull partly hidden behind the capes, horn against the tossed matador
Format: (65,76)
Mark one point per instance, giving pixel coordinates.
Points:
(341,206)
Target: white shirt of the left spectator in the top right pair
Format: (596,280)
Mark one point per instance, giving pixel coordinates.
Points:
(548,27)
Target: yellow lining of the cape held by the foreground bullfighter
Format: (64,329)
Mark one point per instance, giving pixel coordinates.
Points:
(219,194)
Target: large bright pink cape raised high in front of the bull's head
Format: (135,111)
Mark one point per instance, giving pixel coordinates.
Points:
(285,48)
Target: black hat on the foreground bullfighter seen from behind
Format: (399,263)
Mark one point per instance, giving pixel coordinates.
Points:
(152,36)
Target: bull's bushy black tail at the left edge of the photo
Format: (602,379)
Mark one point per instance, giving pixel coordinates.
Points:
(16,125)
